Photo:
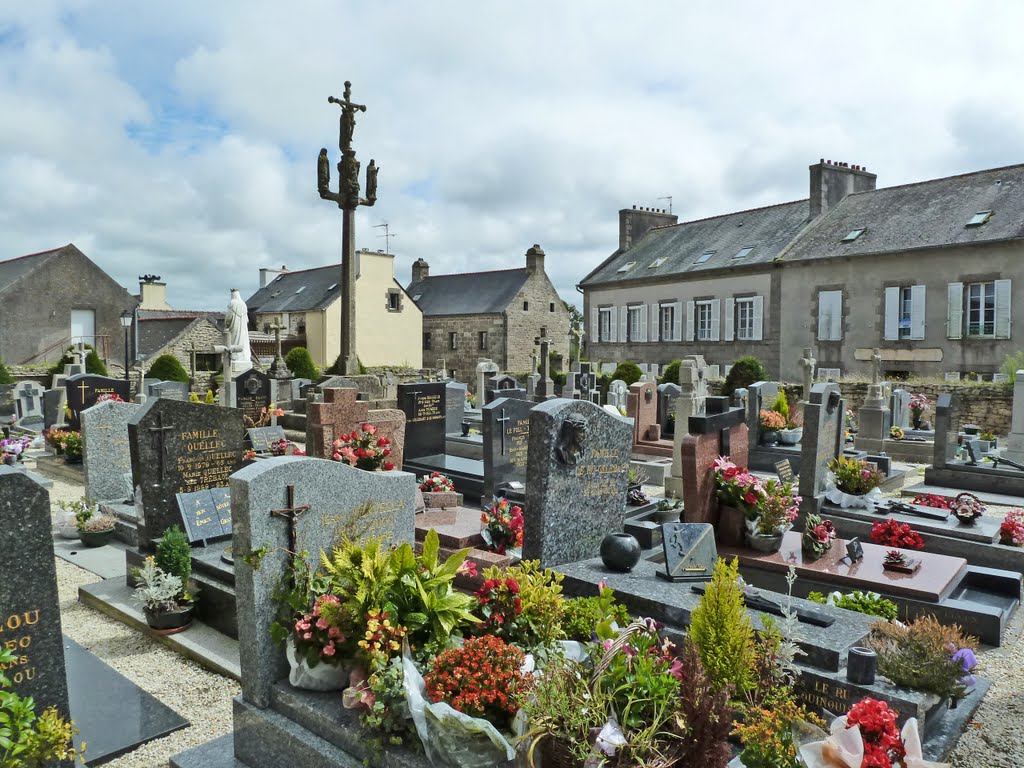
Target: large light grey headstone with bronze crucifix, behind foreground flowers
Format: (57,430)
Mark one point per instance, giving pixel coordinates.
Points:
(337,496)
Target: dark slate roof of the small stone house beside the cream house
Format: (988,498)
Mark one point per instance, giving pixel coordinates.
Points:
(471,293)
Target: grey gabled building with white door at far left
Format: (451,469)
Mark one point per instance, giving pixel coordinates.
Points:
(54,300)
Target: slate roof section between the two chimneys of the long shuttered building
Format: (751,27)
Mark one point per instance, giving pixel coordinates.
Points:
(767,231)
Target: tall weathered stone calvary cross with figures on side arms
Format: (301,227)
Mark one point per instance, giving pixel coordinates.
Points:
(348,198)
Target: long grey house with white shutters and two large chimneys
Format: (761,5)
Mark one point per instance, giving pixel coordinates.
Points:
(924,272)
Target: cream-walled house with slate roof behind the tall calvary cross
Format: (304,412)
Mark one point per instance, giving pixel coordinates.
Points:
(308,305)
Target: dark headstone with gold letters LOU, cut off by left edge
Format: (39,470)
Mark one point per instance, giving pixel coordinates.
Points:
(30,608)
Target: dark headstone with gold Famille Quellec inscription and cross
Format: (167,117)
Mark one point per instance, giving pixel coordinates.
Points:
(181,448)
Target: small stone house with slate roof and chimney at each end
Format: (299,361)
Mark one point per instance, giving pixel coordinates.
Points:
(497,315)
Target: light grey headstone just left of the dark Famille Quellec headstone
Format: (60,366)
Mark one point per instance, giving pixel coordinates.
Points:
(106,455)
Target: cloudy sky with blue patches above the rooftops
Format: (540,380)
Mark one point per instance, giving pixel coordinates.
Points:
(181,139)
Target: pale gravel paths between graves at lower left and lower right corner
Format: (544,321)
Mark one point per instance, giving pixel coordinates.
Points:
(994,740)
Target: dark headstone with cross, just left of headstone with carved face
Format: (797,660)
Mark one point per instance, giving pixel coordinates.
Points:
(505,424)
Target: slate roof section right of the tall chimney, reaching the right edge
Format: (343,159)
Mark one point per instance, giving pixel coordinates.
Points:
(927,215)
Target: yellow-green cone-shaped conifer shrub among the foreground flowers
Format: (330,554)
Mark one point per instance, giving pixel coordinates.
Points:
(722,631)
